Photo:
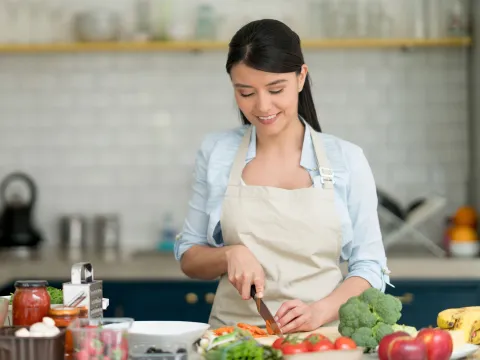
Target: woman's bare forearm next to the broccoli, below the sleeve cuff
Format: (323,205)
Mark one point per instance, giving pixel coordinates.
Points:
(352,286)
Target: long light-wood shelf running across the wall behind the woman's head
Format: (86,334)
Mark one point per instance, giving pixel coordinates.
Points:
(210,46)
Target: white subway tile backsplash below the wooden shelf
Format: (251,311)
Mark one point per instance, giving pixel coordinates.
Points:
(119,132)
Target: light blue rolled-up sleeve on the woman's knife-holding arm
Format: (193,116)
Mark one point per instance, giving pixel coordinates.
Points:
(194,231)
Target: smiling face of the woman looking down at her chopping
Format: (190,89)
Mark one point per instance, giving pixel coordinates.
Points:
(268,100)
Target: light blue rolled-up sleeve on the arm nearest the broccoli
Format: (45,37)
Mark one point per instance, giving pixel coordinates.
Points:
(367,258)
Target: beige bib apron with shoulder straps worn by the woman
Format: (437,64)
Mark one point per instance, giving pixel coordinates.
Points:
(296,236)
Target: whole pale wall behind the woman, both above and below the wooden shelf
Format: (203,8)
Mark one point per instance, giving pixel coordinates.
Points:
(117,132)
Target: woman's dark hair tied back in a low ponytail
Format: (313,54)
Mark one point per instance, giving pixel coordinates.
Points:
(271,46)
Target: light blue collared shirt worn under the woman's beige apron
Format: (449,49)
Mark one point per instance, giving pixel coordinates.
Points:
(355,199)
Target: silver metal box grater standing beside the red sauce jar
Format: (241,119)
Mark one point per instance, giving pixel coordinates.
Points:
(83,291)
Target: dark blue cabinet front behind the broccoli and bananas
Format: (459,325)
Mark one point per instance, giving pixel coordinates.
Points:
(423,300)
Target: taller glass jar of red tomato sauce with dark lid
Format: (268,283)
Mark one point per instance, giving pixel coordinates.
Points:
(31,302)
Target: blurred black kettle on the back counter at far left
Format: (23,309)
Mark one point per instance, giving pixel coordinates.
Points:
(16,220)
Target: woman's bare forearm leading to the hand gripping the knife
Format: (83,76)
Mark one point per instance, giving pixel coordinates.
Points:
(204,262)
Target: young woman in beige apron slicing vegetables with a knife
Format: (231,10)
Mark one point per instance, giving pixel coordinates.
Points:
(277,203)
